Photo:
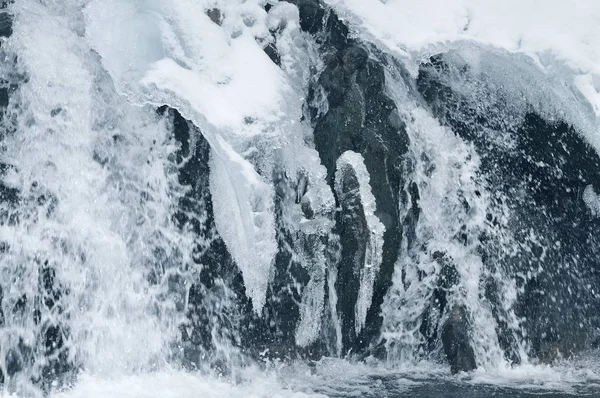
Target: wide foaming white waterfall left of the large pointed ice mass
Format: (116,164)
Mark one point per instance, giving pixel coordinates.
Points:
(105,163)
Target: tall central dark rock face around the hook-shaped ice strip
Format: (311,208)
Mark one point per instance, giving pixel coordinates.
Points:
(362,118)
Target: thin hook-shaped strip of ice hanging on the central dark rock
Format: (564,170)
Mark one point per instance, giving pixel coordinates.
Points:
(374,250)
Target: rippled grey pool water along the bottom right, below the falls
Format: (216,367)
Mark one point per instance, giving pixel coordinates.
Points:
(337,378)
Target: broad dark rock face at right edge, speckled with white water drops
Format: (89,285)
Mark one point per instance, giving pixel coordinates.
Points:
(541,177)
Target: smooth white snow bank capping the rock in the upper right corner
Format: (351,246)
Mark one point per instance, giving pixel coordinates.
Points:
(562,37)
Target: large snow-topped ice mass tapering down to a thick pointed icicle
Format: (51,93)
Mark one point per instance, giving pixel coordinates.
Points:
(219,77)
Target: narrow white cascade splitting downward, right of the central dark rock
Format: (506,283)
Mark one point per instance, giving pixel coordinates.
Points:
(447,177)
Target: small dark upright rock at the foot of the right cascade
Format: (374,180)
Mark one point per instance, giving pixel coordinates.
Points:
(456,341)
